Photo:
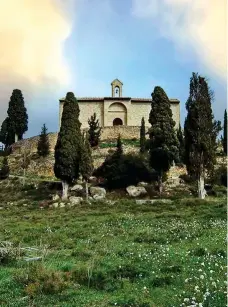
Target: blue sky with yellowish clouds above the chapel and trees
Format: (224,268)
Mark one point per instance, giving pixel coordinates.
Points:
(51,47)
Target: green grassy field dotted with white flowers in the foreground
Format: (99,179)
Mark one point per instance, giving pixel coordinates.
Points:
(119,254)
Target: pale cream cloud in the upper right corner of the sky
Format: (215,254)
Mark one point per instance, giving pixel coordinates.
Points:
(197,26)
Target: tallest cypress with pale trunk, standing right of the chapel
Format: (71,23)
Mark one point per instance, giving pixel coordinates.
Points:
(200,132)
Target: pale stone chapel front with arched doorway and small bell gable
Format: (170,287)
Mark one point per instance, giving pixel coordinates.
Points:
(118,110)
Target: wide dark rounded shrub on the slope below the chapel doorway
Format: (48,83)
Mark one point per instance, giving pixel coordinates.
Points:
(124,170)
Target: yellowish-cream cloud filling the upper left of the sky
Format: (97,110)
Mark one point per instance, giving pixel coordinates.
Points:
(32,38)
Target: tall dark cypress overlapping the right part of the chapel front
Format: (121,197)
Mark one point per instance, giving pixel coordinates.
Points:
(163,139)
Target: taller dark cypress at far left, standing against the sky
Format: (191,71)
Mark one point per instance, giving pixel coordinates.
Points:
(17,113)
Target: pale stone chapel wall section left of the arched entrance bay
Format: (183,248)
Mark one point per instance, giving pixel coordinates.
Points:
(87,109)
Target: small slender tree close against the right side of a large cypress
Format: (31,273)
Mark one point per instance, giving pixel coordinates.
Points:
(86,164)
